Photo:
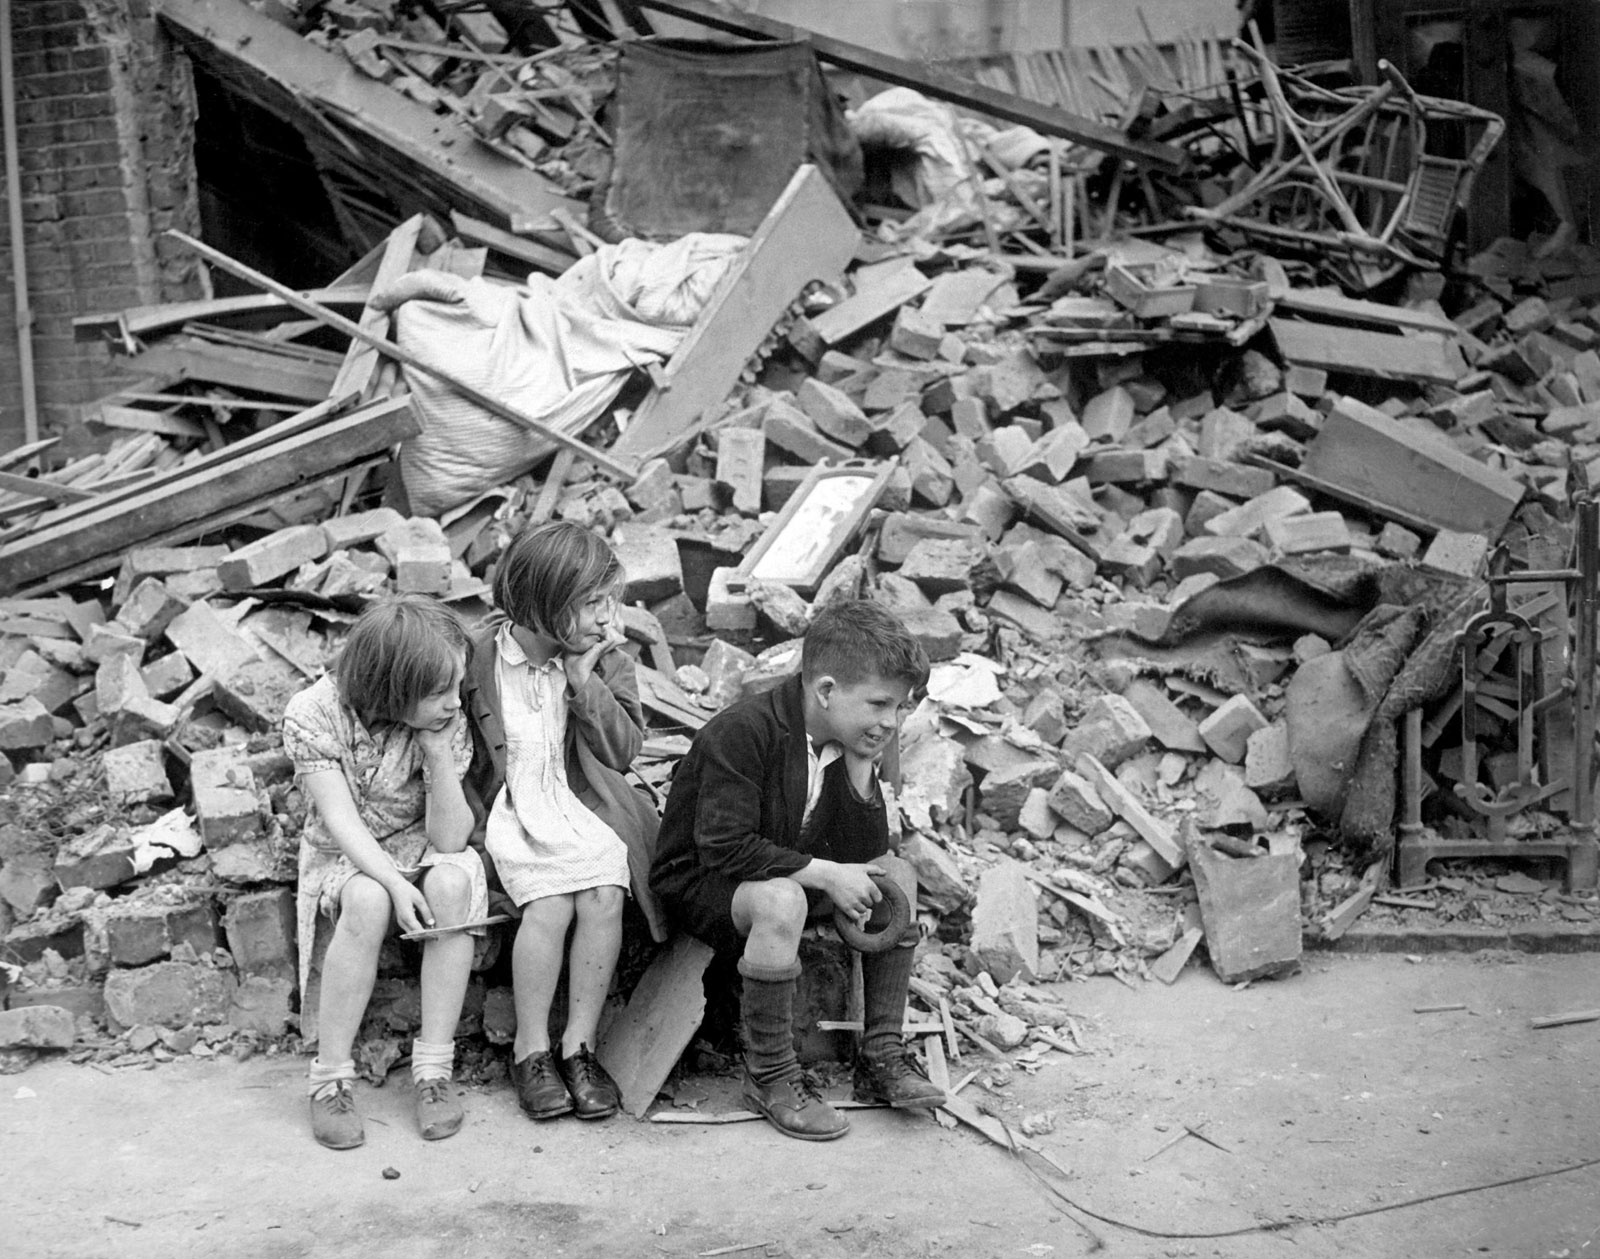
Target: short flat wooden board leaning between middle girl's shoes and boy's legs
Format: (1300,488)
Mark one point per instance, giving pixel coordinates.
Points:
(647,1039)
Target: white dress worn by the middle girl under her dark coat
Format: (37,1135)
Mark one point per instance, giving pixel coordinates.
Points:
(545,841)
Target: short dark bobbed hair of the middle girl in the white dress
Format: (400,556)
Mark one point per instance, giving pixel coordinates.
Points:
(548,572)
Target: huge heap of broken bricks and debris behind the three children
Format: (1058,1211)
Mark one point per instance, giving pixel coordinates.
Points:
(1086,487)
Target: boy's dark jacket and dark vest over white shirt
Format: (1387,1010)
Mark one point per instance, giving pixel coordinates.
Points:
(738,801)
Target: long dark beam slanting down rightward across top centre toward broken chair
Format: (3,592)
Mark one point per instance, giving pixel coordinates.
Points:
(1049,121)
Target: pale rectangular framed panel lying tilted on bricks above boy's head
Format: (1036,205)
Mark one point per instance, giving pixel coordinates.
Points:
(823,514)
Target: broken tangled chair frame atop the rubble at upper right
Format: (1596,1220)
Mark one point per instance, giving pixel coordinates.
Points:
(1364,178)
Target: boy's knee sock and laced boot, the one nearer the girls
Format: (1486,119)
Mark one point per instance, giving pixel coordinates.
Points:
(774,1084)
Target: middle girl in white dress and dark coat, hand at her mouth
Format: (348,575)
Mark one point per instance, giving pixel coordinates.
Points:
(556,716)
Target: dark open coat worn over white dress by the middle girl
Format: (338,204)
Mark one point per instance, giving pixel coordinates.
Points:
(606,729)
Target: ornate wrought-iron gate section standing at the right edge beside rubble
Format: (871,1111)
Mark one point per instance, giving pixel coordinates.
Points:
(1530,698)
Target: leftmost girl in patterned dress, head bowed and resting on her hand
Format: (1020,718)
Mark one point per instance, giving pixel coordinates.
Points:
(382,746)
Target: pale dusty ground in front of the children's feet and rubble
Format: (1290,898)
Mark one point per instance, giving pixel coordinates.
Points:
(1330,1093)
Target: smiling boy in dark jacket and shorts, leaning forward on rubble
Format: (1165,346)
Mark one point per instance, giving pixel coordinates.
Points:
(777,817)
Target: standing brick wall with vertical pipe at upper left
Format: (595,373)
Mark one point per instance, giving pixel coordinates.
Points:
(106,135)
